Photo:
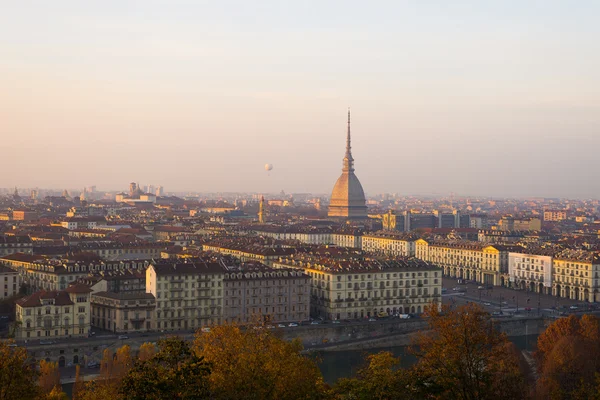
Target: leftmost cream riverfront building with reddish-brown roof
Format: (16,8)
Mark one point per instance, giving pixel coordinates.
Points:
(54,314)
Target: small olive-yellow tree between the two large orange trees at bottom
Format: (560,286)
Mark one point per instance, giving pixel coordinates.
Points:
(379,379)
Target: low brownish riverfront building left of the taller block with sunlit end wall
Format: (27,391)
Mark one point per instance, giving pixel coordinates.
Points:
(123,312)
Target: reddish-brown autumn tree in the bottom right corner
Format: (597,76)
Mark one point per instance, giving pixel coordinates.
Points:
(569,358)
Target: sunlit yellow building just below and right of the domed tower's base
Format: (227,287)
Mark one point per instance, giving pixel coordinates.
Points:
(390,243)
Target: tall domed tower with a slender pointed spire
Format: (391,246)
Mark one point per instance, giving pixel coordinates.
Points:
(348,197)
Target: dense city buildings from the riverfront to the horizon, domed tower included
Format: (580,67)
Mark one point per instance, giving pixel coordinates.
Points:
(143,260)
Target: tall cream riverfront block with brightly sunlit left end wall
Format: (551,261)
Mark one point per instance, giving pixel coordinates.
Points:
(188,295)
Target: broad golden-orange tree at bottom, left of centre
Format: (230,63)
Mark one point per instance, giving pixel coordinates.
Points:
(254,363)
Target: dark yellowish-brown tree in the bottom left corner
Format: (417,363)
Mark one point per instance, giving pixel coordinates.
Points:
(17,377)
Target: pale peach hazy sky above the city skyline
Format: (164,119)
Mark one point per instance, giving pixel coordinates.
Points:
(475,97)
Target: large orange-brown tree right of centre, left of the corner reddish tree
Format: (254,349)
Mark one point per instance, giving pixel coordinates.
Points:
(464,356)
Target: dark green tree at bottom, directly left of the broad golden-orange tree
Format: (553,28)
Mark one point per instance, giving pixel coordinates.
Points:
(174,372)
